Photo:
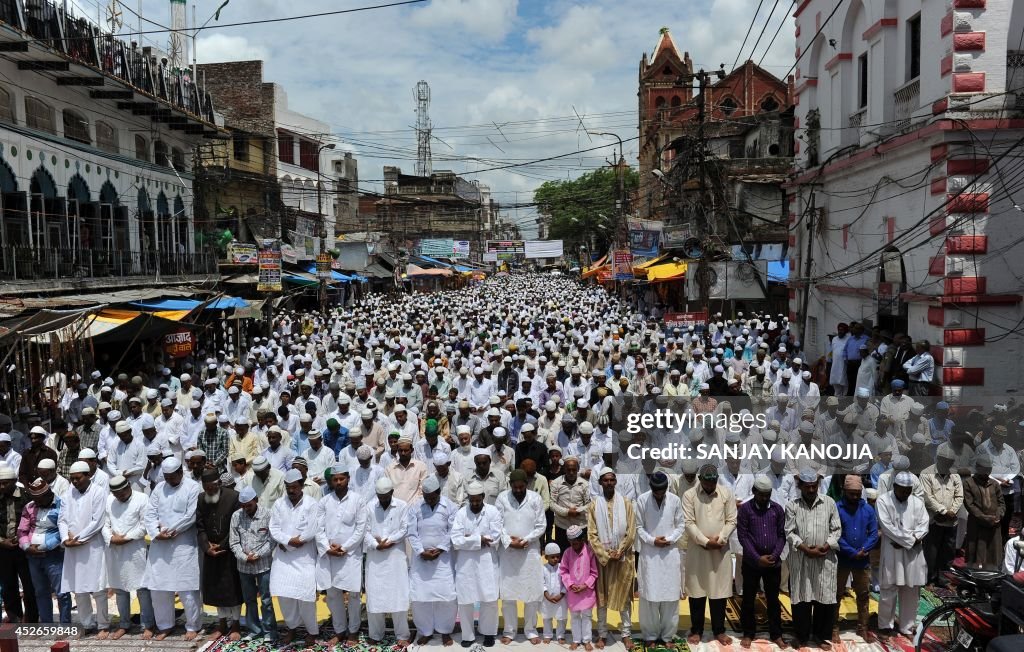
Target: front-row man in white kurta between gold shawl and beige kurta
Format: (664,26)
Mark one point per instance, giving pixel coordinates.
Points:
(660,527)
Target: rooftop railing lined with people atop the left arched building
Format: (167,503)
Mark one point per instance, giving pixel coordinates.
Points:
(88,45)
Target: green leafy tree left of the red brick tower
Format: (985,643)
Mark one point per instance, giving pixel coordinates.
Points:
(575,209)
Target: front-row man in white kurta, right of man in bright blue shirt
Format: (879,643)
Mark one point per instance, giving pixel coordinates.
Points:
(904,571)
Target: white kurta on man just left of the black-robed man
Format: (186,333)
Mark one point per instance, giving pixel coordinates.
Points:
(174,563)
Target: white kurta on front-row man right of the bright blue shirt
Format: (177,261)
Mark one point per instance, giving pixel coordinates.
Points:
(905,525)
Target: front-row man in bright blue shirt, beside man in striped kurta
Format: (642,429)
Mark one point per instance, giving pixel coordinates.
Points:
(861,536)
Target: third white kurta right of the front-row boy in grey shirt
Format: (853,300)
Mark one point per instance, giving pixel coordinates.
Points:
(388,571)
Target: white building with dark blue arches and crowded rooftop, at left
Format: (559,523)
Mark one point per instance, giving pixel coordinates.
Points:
(97,142)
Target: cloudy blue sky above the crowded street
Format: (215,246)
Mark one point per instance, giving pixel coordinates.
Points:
(507,77)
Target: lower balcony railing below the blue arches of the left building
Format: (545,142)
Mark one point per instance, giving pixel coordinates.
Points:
(25,264)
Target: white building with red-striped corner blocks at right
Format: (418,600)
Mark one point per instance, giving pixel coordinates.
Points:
(904,207)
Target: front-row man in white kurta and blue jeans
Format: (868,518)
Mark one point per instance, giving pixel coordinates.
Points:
(124,534)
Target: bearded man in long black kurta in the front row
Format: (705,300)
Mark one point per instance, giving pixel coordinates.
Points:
(222,587)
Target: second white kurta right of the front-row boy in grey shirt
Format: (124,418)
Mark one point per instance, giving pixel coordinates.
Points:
(343,523)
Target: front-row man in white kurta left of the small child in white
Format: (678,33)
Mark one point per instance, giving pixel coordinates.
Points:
(521,564)
